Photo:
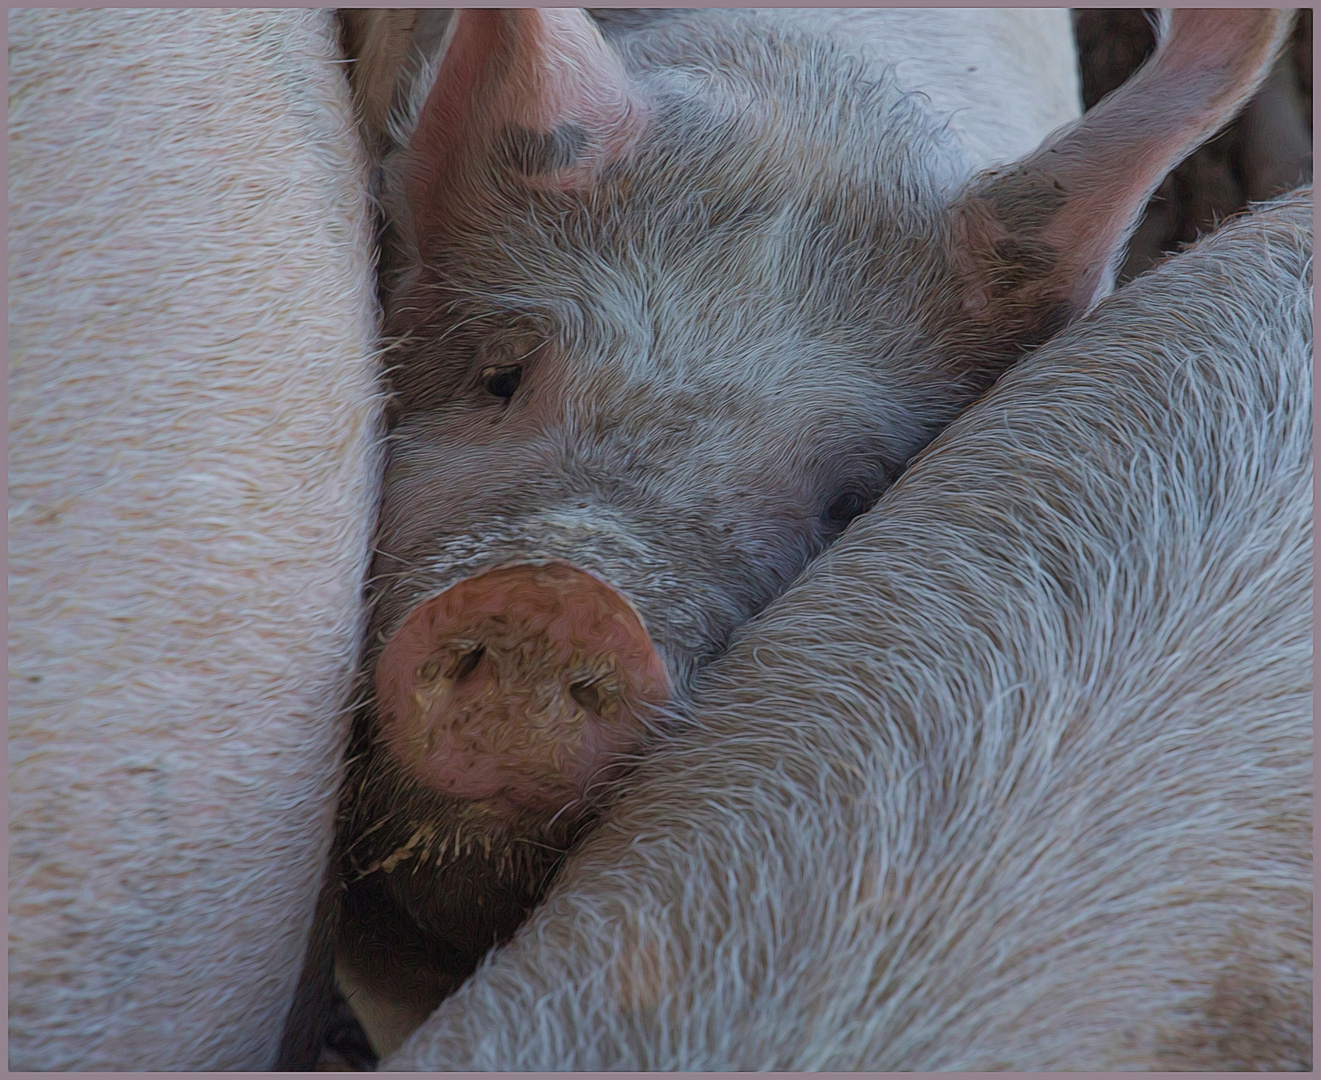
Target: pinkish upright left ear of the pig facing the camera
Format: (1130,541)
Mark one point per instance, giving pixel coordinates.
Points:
(534,93)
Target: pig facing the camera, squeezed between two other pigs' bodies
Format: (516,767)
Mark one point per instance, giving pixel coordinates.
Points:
(678,300)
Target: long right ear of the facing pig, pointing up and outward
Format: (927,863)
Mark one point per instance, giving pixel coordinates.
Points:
(1040,241)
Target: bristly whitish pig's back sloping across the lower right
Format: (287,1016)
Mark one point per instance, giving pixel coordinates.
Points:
(1018,777)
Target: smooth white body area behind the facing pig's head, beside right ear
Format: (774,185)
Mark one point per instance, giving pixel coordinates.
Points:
(1002,79)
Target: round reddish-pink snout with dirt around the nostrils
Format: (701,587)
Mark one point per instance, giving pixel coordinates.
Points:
(517,686)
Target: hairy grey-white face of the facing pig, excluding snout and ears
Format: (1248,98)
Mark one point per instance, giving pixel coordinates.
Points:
(685,374)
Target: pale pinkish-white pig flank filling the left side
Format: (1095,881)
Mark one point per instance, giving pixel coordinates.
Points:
(195,461)
